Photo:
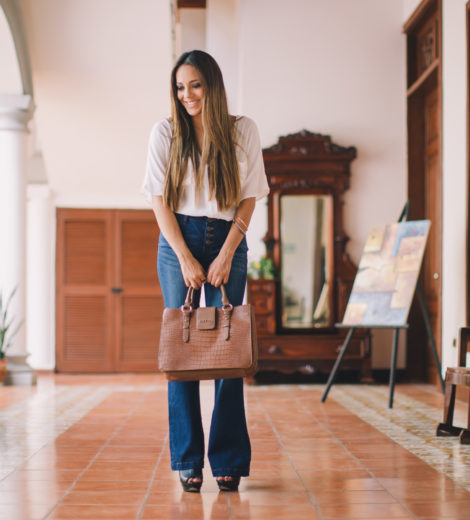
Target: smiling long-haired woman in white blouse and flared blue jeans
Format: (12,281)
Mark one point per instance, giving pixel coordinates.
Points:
(204,174)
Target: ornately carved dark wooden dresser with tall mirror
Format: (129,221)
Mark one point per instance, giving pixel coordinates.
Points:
(295,314)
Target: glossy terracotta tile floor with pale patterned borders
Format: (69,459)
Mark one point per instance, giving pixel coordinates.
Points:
(96,447)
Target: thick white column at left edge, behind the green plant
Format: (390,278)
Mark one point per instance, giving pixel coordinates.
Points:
(15,113)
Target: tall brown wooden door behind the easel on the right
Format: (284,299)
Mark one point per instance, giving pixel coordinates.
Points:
(424,114)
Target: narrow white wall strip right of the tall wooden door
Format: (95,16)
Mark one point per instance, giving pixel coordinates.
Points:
(454,164)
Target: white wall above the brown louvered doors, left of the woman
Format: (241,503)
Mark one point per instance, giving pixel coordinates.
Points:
(101,73)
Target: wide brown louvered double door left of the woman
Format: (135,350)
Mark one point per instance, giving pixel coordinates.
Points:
(108,301)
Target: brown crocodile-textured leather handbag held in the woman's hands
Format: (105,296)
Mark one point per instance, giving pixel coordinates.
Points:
(208,342)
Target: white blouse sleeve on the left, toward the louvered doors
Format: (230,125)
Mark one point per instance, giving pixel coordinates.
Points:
(157,158)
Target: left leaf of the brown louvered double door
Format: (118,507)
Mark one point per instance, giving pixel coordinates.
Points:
(84,325)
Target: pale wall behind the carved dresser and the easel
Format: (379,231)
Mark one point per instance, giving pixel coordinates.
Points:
(336,68)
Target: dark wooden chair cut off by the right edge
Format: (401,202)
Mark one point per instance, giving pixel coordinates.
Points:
(457,376)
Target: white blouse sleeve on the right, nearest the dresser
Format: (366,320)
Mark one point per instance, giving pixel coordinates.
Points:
(254,183)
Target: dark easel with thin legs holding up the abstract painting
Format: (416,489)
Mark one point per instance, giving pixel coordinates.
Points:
(331,379)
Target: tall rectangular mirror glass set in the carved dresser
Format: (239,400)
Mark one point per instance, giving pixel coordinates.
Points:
(306,235)
